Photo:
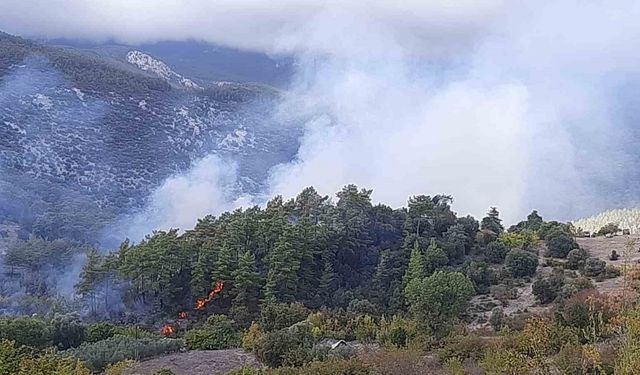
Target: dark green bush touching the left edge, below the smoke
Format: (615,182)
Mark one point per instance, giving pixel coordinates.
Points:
(28,331)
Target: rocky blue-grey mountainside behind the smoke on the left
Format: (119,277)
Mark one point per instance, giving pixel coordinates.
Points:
(84,138)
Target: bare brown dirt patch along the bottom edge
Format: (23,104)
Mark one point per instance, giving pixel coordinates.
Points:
(197,362)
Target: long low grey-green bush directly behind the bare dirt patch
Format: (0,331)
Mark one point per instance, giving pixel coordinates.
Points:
(119,348)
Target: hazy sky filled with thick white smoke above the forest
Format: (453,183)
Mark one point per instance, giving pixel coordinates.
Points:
(515,104)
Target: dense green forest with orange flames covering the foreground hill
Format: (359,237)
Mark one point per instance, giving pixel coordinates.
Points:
(283,280)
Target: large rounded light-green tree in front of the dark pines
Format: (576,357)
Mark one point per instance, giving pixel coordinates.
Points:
(437,299)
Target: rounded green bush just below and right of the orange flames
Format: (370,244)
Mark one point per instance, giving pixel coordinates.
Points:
(218,333)
